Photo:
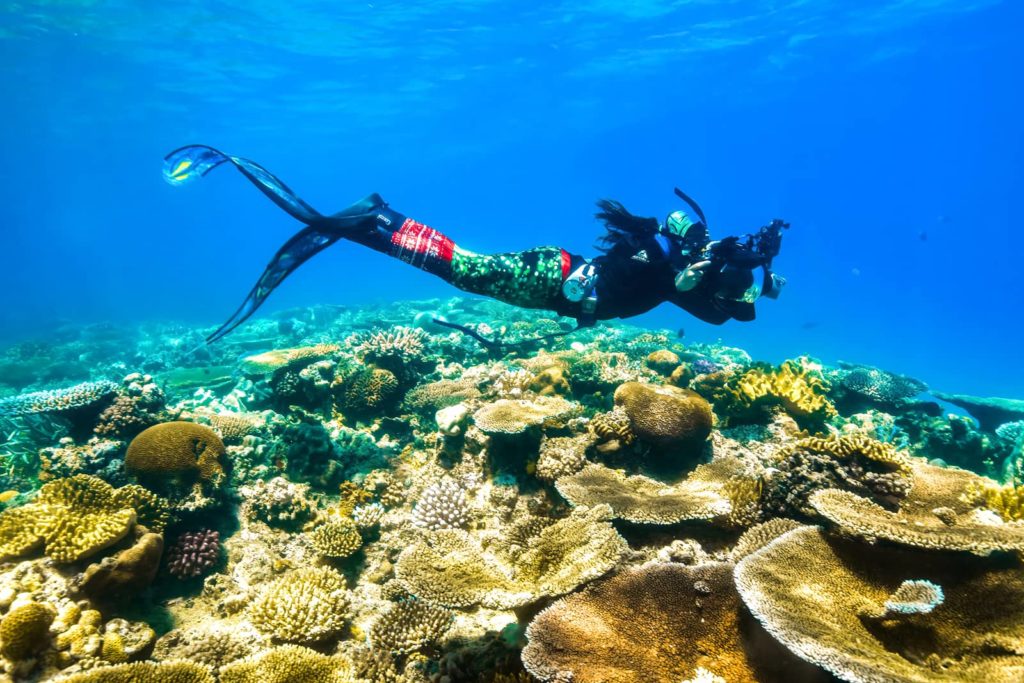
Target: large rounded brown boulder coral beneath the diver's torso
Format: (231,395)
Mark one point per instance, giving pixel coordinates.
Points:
(666,415)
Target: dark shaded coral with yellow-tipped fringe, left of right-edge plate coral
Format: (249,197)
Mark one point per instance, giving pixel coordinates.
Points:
(852,462)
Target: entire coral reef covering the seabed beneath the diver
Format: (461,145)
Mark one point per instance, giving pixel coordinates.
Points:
(359,496)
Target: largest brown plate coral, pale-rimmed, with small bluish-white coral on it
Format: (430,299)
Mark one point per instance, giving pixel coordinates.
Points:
(826,616)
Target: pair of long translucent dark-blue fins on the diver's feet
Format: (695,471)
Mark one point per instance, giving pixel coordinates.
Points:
(195,161)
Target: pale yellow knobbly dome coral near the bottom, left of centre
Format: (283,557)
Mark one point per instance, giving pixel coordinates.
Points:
(306,607)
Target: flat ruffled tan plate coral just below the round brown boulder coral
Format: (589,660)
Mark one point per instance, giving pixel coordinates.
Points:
(643,500)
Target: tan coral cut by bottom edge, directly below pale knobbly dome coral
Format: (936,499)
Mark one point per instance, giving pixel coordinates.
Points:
(289,664)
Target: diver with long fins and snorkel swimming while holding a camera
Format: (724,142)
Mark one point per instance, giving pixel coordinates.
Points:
(644,263)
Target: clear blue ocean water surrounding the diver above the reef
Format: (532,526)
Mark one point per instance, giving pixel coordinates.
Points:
(886,132)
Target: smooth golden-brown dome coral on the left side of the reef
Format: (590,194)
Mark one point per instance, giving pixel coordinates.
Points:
(177,449)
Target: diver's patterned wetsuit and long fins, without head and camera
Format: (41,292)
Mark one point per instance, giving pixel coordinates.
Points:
(630,279)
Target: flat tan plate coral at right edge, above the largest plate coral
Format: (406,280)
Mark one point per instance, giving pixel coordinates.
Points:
(863,518)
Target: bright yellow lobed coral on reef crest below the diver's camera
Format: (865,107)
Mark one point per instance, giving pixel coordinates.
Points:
(800,391)
